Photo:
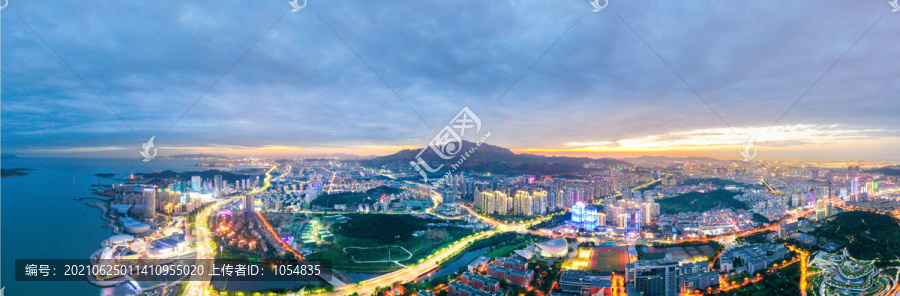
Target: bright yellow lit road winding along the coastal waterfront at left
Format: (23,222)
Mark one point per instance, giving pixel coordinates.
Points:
(198,284)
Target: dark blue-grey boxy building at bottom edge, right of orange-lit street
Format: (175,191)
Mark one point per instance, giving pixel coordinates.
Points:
(653,277)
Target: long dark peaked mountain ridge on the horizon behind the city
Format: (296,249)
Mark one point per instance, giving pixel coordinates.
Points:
(492,159)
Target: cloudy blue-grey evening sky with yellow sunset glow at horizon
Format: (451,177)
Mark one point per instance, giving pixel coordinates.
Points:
(803,79)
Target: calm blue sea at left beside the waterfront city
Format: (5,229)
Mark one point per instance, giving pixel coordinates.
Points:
(36,211)
